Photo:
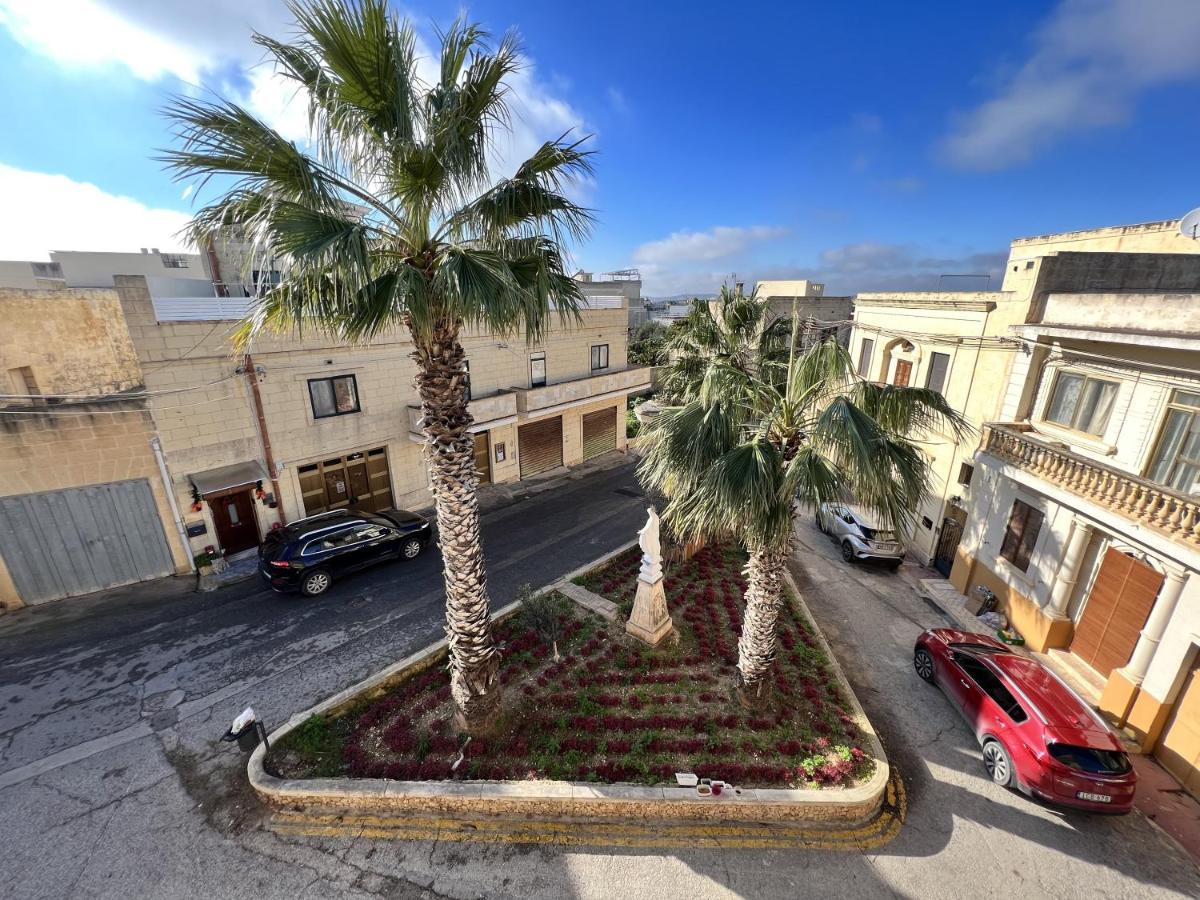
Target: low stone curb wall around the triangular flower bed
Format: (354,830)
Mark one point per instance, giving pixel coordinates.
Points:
(560,800)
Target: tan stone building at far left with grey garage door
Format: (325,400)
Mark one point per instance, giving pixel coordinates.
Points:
(85,505)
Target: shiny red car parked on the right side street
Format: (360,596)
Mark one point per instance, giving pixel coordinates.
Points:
(1036,733)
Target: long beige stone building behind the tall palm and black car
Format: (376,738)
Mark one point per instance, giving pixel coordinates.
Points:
(305,424)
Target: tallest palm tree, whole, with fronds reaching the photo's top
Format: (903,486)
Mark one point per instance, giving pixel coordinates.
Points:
(391,218)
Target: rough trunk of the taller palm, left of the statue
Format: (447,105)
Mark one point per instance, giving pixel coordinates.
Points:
(475,659)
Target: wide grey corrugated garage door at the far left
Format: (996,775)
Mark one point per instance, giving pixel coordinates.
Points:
(69,543)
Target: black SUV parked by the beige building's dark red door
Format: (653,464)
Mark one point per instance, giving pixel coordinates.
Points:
(308,555)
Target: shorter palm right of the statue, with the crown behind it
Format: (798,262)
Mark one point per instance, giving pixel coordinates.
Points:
(759,434)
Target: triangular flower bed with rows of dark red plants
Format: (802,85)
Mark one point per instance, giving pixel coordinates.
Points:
(611,710)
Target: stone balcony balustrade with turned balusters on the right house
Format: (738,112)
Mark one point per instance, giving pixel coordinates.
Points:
(1171,513)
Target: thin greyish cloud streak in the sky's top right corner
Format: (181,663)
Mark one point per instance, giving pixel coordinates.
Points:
(1091,62)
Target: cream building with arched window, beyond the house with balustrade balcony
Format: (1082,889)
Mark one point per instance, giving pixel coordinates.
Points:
(962,344)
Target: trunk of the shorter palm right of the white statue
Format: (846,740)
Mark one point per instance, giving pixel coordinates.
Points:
(760,623)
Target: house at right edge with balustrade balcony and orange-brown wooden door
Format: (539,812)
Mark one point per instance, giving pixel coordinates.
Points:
(1085,517)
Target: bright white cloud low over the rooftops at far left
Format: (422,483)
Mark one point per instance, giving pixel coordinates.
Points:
(45,213)
